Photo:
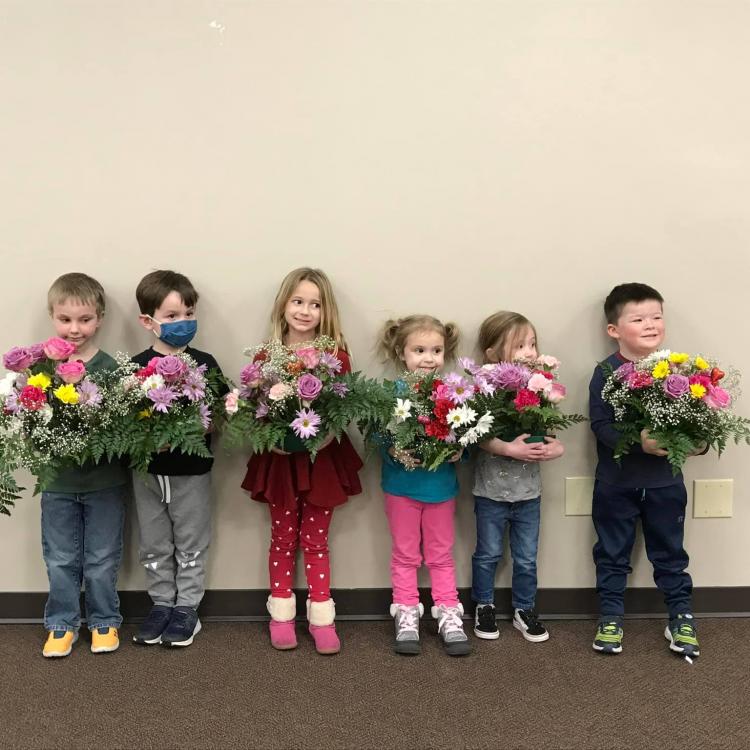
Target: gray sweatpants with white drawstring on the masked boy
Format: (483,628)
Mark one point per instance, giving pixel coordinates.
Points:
(174,521)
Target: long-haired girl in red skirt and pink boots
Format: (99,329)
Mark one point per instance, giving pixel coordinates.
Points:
(301,494)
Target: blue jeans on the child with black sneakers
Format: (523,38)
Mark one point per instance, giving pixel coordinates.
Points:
(492,518)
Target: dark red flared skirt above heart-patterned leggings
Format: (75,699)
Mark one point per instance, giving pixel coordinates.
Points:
(326,482)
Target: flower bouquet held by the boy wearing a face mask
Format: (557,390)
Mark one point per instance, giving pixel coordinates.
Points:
(165,405)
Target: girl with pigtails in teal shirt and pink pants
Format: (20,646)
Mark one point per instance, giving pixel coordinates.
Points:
(420,504)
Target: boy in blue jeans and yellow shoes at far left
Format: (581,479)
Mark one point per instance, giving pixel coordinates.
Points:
(83,508)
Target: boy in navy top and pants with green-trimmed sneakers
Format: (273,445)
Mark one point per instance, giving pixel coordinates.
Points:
(641,486)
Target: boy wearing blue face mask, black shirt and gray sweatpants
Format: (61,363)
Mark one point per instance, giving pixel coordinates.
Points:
(173,501)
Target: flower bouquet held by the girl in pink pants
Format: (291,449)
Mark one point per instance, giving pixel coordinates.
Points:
(429,418)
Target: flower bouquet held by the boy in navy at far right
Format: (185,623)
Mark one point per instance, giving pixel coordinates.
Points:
(682,400)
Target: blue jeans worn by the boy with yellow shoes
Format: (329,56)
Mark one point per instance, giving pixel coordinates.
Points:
(82,541)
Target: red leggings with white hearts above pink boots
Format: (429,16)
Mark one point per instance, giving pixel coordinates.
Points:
(308,525)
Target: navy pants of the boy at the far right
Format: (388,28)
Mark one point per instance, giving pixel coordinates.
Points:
(615,513)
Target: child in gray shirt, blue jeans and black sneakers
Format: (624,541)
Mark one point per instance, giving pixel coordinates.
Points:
(507,493)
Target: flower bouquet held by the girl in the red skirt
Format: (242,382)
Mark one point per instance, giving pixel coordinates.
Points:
(293,399)
